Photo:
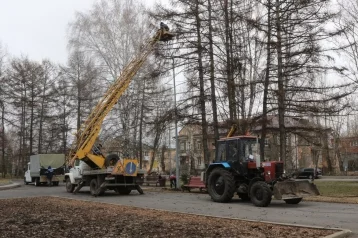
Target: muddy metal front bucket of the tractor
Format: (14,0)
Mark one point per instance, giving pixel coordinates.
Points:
(294,189)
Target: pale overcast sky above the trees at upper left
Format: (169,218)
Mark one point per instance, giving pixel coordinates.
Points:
(37,28)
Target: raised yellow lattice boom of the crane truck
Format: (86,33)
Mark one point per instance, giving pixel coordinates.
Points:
(89,131)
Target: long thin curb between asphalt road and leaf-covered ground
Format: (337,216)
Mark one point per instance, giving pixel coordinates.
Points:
(340,233)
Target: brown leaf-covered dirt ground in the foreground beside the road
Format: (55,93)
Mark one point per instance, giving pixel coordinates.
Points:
(55,217)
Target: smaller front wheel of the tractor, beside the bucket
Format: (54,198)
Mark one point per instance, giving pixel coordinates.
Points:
(260,194)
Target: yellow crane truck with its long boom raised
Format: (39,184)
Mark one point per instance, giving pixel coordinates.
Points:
(89,167)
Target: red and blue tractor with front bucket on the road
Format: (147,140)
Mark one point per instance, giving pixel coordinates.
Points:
(238,169)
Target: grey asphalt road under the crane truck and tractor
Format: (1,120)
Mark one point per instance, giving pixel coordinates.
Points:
(330,215)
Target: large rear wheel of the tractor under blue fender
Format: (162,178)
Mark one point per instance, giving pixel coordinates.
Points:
(221,185)
